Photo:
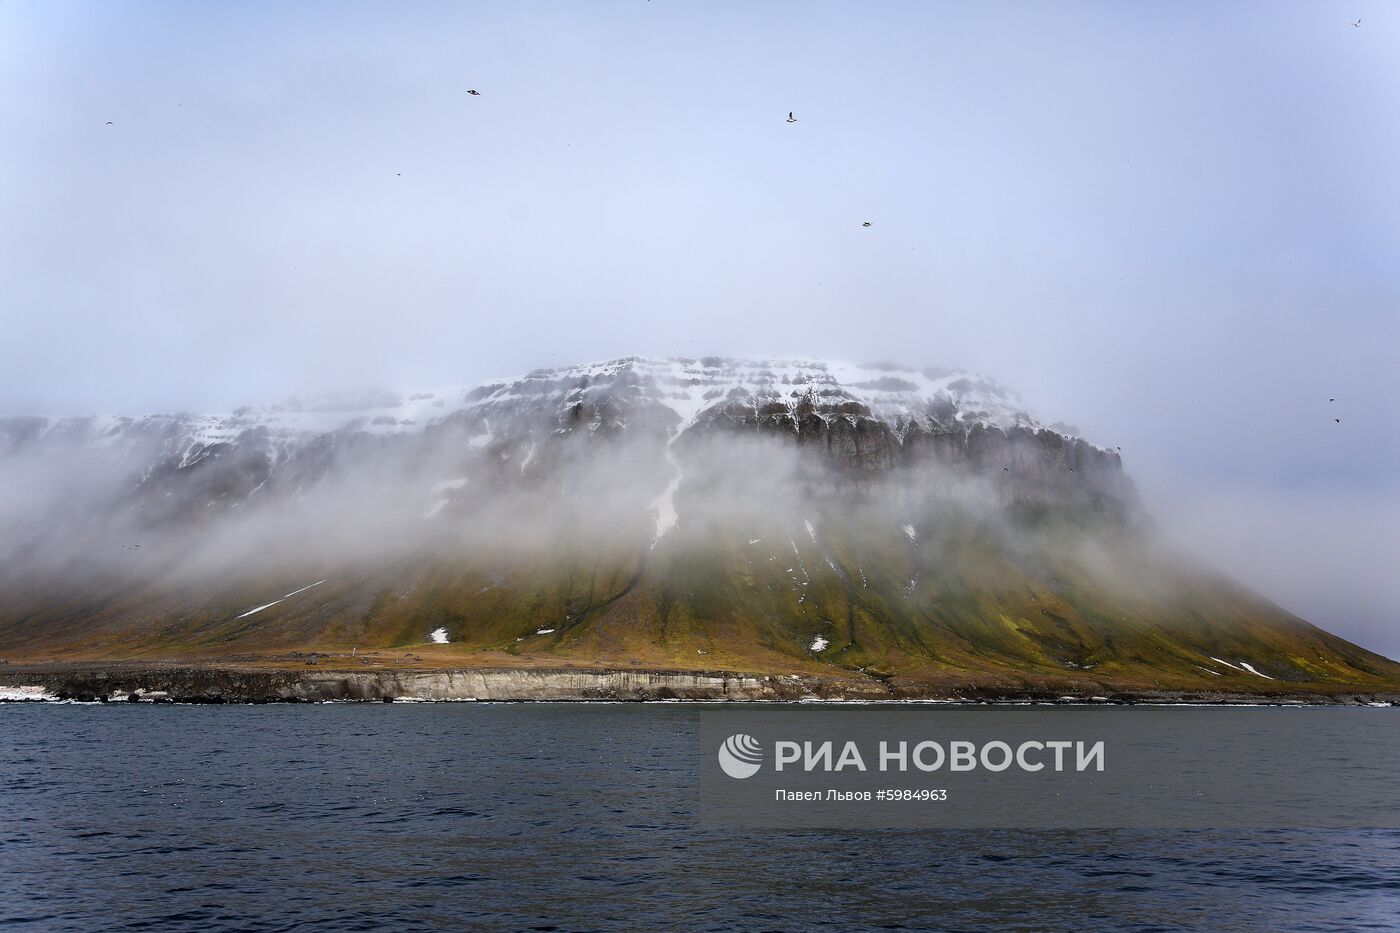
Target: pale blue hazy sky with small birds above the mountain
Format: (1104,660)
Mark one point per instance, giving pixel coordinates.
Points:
(1174,226)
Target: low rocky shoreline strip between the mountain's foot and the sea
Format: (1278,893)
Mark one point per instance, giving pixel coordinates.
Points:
(278,686)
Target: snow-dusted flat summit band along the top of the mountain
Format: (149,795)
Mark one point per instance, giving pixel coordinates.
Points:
(685,387)
